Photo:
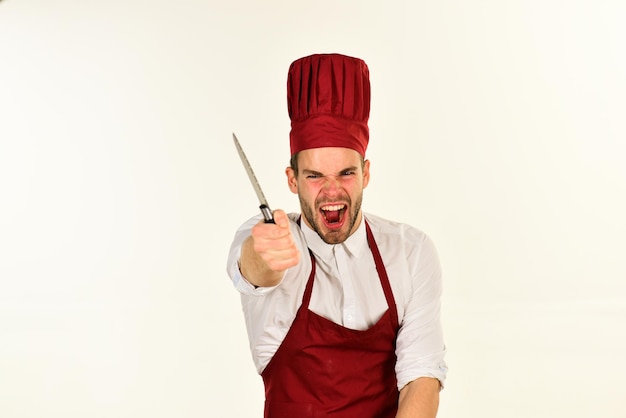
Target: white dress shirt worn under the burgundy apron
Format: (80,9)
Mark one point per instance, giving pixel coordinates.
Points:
(348,292)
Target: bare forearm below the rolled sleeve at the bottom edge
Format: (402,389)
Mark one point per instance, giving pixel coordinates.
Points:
(419,399)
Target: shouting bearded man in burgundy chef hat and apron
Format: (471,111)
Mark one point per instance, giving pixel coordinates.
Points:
(342,308)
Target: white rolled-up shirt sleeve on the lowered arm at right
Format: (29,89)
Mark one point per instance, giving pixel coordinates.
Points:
(420,347)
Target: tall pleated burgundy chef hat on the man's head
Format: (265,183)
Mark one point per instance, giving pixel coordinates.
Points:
(328,97)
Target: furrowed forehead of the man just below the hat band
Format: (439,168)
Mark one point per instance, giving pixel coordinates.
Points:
(328,159)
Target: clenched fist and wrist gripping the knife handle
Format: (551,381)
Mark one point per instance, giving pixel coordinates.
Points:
(268,252)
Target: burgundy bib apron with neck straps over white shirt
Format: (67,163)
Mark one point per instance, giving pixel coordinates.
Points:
(323,369)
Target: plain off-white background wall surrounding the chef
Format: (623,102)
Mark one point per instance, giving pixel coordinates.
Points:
(497,127)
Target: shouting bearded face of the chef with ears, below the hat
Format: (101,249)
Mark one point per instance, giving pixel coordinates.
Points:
(329,184)
